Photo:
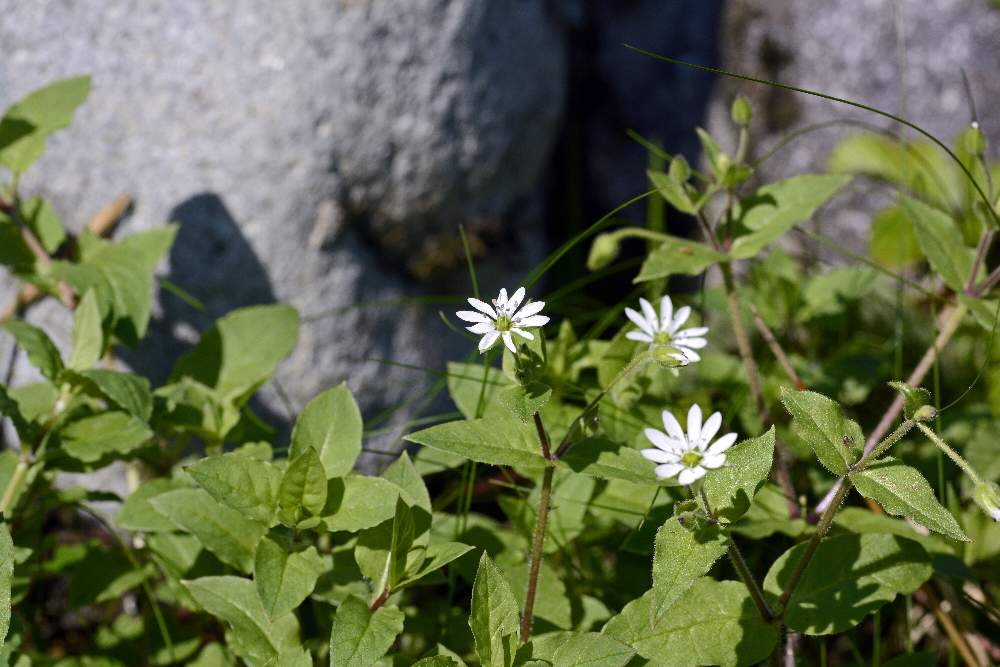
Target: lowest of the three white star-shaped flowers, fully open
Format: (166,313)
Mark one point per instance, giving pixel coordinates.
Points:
(688,456)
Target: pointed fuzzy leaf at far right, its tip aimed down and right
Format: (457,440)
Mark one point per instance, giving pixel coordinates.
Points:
(903,491)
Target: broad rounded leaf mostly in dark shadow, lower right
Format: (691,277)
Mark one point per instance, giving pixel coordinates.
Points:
(849,577)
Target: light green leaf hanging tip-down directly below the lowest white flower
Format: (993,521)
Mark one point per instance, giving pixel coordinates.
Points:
(681,556)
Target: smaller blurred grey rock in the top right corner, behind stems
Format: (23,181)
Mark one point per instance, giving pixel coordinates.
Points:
(849,49)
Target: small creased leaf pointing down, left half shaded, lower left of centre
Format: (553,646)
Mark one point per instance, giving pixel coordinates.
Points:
(284,579)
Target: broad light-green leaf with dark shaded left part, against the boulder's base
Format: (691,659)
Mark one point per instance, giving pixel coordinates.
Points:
(242,350)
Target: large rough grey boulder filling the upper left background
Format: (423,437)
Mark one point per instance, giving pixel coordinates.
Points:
(319,153)
